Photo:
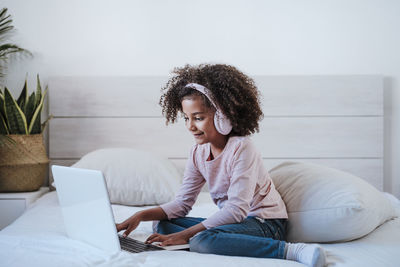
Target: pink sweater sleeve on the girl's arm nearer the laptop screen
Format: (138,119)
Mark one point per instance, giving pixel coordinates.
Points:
(191,186)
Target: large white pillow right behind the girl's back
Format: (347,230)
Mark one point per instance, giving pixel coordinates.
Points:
(328,205)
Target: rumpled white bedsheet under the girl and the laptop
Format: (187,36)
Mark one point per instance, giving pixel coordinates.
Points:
(38,238)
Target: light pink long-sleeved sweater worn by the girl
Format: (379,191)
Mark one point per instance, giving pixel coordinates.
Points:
(238,182)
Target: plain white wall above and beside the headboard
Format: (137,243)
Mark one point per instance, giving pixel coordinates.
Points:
(125,37)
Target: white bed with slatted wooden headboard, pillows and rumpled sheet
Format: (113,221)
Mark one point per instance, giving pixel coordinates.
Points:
(312,123)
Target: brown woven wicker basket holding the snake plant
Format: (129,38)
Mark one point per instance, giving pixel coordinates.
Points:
(23,166)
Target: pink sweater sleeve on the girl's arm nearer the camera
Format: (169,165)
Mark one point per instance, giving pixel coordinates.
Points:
(241,190)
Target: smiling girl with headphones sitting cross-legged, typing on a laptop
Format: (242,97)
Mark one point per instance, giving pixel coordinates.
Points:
(221,109)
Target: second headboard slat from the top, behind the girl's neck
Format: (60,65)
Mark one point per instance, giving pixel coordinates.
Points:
(314,137)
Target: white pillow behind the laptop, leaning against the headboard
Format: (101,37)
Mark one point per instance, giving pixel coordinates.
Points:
(134,177)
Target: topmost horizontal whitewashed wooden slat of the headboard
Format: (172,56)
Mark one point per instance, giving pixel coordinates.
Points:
(282,96)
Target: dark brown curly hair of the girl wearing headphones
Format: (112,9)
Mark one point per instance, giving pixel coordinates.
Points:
(235,94)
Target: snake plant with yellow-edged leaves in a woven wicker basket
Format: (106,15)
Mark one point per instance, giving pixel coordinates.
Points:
(24,162)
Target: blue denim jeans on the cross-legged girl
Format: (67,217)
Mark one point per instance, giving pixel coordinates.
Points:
(253,237)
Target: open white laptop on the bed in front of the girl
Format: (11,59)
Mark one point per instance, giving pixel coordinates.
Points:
(87,211)
